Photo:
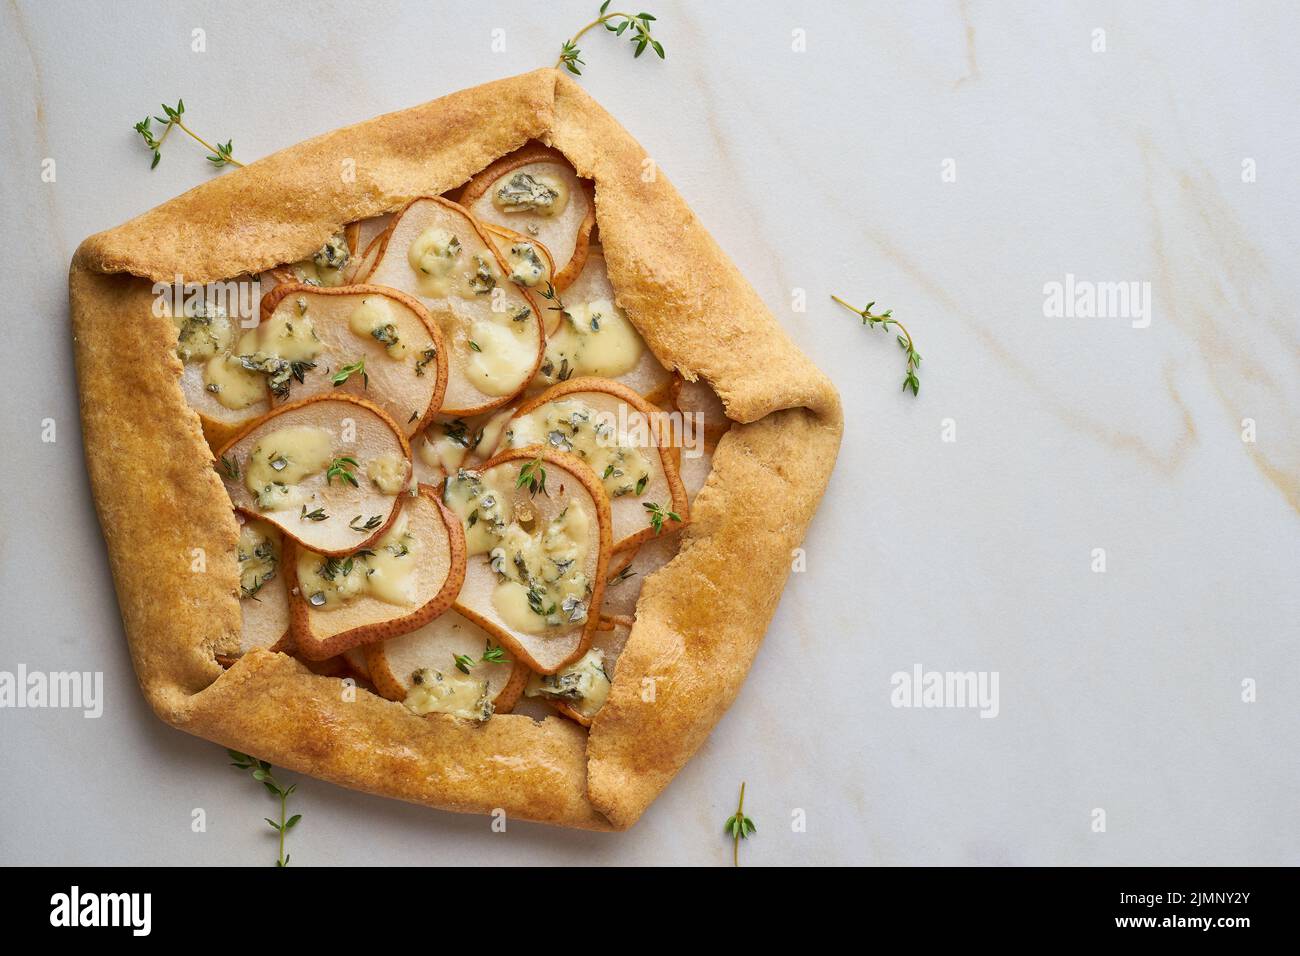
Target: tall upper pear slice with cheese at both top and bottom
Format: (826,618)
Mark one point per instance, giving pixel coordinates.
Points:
(492,328)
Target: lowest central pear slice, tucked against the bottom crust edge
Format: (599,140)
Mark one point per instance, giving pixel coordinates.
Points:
(427,660)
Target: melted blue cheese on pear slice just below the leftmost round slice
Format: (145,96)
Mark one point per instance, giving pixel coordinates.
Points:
(385,572)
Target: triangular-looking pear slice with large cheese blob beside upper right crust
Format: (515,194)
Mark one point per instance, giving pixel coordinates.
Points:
(593,338)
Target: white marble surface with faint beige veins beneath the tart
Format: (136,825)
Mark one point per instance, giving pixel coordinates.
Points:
(817,171)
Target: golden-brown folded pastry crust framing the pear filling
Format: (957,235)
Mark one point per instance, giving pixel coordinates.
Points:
(701,618)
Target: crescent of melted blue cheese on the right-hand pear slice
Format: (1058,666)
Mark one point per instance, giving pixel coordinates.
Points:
(573,426)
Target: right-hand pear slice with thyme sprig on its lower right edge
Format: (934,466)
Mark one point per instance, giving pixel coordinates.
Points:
(621,438)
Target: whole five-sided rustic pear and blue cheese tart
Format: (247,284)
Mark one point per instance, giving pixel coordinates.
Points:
(565,661)
